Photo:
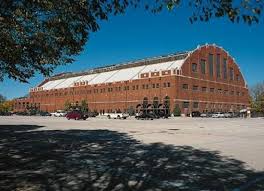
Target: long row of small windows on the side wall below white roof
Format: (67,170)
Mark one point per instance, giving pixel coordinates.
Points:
(110,89)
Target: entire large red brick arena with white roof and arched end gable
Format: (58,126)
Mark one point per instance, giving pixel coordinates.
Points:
(204,79)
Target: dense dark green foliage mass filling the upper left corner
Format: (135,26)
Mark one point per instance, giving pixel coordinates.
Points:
(37,36)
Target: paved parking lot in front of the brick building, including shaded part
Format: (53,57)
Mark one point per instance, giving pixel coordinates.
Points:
(232,146)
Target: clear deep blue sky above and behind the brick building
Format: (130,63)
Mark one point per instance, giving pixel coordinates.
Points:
(139,34)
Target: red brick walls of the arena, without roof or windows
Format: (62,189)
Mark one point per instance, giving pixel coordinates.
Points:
(99,98)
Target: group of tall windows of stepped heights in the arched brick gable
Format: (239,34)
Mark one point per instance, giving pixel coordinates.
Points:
(220,68)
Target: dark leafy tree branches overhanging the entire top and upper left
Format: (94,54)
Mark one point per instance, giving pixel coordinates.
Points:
(36,36)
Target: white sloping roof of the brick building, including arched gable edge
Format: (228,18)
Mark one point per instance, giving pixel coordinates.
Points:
(125,71)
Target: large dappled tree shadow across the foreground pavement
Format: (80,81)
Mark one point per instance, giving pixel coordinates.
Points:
(109,160)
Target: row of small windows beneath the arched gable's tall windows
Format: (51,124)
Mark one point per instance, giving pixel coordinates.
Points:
(196,88)
